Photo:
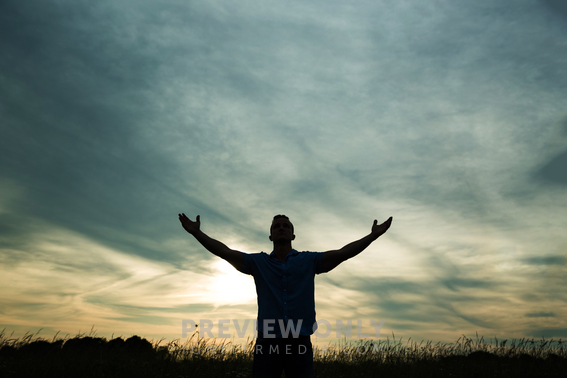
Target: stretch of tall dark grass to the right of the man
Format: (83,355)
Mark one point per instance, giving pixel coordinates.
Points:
(467,357)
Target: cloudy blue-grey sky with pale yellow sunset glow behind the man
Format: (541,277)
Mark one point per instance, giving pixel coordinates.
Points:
(451,117)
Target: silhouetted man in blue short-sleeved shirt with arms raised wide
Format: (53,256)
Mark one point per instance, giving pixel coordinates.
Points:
(286,292)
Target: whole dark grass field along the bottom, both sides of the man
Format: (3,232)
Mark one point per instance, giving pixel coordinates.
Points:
(91,356)
